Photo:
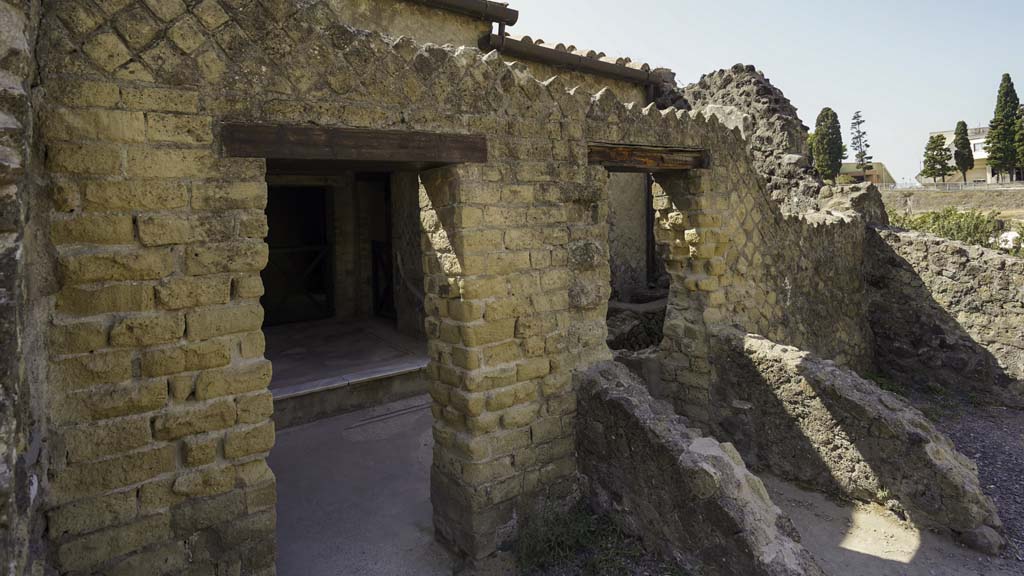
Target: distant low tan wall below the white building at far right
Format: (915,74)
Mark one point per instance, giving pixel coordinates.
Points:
(1008,201)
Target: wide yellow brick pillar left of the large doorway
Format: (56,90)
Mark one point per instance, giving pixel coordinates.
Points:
(159,410)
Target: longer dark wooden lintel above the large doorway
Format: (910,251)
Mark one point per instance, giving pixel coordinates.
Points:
(354,146)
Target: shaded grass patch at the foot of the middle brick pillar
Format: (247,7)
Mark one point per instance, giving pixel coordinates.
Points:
(579,542)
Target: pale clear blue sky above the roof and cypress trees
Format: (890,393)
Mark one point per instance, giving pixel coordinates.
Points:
(912,66)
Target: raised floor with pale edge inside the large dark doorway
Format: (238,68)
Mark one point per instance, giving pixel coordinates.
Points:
(316,356)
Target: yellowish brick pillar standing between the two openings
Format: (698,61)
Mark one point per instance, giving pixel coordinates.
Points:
(497,310)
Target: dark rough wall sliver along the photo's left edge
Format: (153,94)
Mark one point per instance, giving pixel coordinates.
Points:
(22,432)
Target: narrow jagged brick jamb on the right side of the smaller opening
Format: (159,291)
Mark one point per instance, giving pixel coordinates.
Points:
(690,236)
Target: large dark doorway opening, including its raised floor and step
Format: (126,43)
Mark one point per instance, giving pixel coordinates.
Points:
(344,292)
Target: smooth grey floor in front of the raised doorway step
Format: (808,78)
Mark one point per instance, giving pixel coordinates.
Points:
(354,495)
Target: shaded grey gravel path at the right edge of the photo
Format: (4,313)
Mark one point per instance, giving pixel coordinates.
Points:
(994,438)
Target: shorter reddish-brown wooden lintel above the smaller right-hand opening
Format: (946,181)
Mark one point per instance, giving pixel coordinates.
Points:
(633,158)
